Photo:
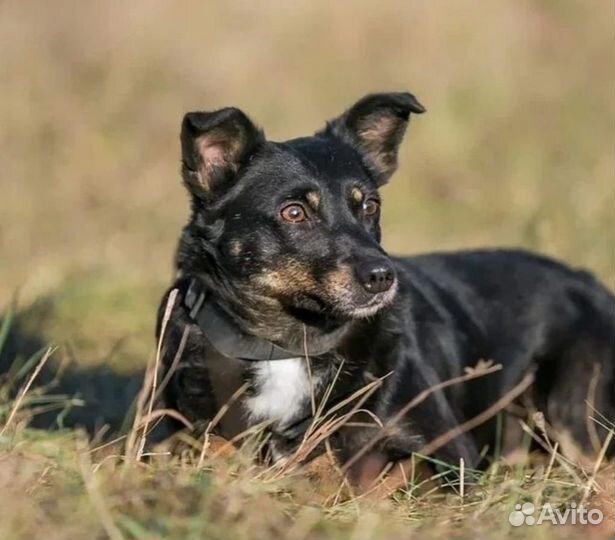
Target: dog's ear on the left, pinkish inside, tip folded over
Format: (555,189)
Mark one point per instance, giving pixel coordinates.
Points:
(215,145)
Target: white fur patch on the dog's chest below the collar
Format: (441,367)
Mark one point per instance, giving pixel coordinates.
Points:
(281,390)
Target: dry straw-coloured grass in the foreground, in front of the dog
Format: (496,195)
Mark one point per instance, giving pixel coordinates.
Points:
(73,485)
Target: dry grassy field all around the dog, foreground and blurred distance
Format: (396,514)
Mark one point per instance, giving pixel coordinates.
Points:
(516,149)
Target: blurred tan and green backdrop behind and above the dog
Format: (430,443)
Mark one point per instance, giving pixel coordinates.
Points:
(516,147)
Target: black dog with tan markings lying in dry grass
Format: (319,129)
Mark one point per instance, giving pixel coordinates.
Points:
(281,259)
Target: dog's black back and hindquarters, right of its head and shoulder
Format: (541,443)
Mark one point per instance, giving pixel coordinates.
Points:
(526,312)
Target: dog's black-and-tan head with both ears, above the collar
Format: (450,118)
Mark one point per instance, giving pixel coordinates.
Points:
(292,229)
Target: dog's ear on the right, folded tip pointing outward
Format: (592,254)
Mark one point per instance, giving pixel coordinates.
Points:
(375,126)
